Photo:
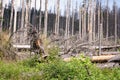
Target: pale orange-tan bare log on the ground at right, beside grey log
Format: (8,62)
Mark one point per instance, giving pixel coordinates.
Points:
(102,58)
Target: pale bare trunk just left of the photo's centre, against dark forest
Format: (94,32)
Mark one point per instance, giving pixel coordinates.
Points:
(57,17)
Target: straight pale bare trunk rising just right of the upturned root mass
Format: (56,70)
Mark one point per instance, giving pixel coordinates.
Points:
(46,17)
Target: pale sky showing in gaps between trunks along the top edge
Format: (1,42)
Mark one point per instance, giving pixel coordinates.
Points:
(52,2)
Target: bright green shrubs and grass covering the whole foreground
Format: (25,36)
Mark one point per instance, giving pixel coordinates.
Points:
(54,68)
